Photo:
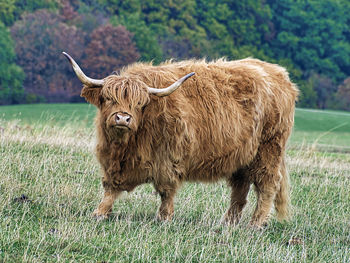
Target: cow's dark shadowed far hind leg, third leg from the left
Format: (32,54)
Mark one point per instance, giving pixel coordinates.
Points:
(240,185)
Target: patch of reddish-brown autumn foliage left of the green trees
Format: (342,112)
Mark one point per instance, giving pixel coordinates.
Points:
(42,36)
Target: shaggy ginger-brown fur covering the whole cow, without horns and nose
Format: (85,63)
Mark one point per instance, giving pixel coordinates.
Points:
(230,121)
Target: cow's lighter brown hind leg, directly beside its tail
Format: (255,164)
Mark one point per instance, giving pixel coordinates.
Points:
(266,178)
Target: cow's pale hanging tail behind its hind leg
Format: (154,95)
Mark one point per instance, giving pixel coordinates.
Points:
(282,200)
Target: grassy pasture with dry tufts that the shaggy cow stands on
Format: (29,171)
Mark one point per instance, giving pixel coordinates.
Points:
(50,184)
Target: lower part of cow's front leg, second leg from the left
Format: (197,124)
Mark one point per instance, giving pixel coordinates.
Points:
(167,194)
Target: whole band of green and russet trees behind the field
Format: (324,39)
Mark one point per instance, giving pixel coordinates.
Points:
(311,38)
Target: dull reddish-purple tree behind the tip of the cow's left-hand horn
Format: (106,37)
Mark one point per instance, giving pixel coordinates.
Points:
(40,38)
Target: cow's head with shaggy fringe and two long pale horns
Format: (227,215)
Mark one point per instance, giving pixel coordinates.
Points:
(121,99)
